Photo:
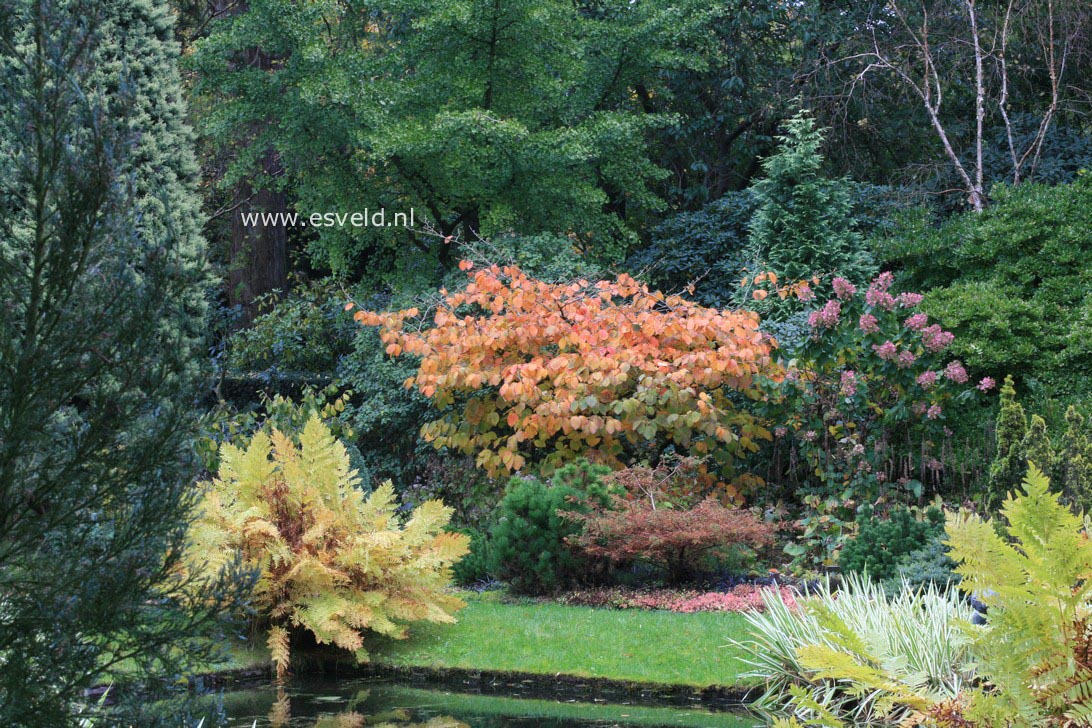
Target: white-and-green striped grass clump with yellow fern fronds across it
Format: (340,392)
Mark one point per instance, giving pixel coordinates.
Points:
(858,658)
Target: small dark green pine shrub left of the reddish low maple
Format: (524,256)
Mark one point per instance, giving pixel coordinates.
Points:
(528,543)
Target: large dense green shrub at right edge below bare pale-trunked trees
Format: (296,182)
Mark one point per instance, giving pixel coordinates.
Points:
(1012,283)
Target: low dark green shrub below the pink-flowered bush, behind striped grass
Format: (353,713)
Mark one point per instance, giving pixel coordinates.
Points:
(883,546)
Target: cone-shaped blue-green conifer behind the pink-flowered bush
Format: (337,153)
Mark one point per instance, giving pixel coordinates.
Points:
(804,224)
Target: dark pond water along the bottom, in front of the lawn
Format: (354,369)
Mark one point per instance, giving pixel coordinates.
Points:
(328,703)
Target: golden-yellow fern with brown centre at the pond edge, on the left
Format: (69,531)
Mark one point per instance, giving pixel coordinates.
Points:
(329,559)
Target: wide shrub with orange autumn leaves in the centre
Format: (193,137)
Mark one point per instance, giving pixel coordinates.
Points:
(525,371)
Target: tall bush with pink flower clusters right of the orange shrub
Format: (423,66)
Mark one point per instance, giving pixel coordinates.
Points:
(861,414)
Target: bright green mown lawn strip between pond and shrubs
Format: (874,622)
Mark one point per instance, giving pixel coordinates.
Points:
(545,639)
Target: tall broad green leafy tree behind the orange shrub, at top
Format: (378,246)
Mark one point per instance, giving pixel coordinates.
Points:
(485,117)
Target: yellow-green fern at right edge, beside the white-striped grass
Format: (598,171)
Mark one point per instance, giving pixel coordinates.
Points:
(1035,575)
